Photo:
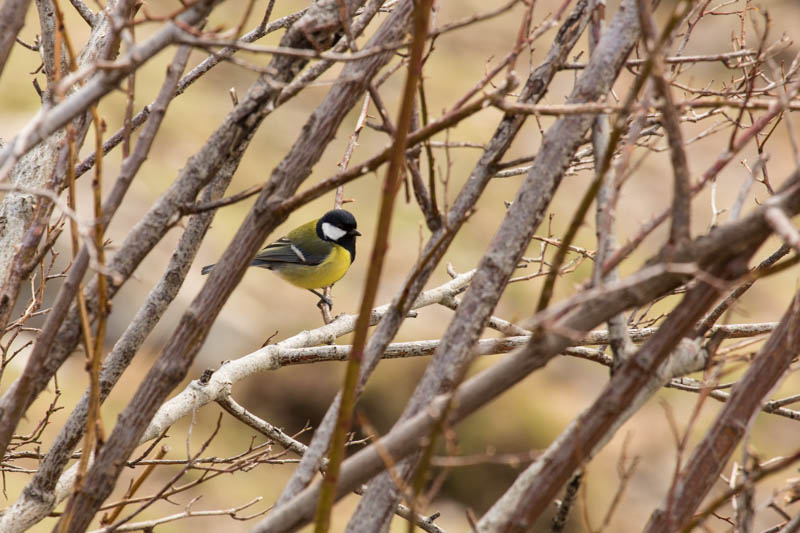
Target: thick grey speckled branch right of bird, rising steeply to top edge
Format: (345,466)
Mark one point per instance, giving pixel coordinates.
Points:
(559,144)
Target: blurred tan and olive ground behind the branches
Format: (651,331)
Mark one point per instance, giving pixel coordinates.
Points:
(528,417)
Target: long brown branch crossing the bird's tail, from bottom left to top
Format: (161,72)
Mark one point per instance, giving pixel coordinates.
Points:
(187,338)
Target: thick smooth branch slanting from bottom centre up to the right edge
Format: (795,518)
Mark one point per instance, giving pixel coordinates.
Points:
(725,243)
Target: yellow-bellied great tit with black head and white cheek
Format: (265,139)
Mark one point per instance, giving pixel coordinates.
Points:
(314,255)
